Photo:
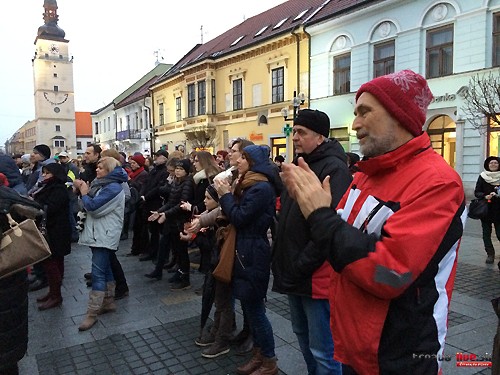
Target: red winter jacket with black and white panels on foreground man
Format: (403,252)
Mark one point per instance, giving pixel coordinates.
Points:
(395,260)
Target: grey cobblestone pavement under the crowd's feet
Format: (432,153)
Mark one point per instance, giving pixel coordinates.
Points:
(154,328)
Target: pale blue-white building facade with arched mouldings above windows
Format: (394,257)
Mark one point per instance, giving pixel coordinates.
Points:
(448,42)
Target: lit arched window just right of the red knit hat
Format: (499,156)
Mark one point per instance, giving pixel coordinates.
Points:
(443,133)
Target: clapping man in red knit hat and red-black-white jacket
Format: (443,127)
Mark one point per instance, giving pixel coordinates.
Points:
(394,237)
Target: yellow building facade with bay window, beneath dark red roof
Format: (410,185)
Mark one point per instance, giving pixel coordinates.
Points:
(241,94)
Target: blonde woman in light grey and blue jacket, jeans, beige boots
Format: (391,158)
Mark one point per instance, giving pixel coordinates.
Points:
(104,203)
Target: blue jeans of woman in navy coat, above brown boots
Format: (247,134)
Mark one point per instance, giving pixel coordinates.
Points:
(262,332)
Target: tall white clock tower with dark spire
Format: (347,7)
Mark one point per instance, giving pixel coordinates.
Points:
(53,85)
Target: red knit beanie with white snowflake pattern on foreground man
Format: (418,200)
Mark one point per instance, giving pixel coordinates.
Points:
(405,95)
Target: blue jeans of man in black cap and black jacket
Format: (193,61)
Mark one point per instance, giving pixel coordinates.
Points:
(311,324)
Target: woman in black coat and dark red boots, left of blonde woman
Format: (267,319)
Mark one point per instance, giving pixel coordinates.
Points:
(53,196)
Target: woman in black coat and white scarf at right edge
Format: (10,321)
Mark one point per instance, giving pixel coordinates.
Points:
(487,187)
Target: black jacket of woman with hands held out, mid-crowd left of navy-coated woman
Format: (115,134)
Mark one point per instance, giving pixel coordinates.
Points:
(180,191)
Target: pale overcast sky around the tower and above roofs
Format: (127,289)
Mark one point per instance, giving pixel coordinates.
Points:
(113,44)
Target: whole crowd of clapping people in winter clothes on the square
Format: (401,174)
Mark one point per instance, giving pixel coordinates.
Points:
(362,249)
